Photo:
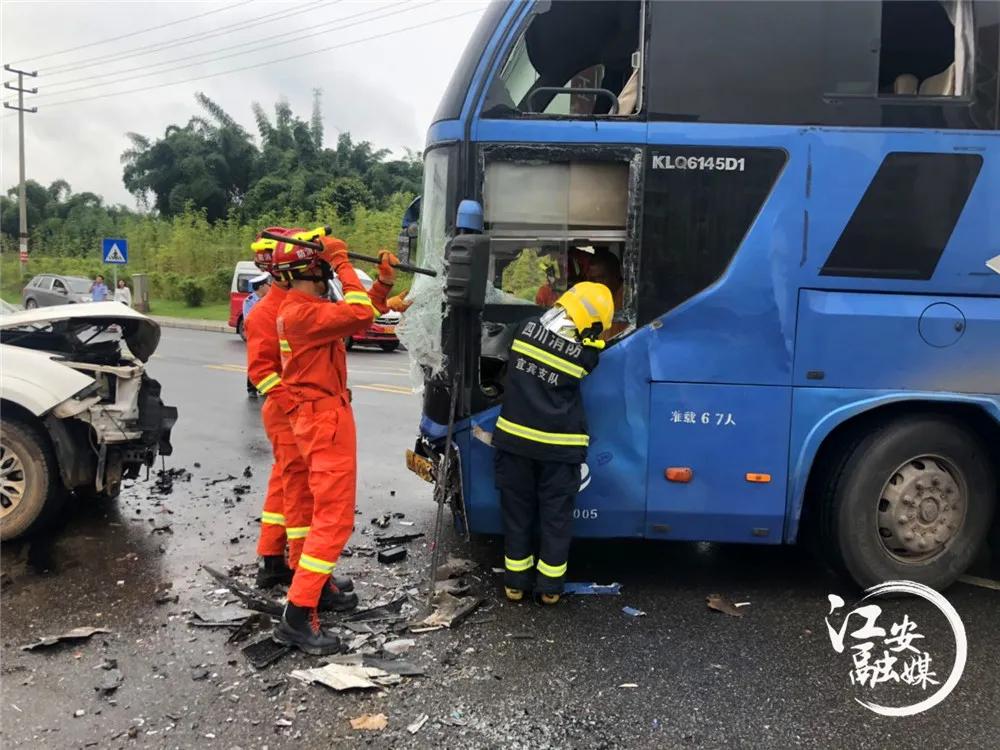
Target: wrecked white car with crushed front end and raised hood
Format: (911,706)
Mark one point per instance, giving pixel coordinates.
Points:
(79,413)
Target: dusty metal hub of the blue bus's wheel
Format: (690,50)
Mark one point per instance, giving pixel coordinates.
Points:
(921,509)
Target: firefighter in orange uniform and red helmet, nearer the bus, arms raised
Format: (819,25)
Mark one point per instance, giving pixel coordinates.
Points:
(311,333)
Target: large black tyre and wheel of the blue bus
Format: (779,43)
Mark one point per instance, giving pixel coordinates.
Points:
(912,501)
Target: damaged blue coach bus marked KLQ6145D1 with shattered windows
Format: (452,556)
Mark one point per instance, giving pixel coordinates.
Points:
(794,204)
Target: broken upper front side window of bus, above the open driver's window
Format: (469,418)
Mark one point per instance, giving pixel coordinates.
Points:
(571,45)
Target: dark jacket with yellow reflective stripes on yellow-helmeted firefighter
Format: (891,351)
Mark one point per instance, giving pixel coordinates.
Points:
(542,416)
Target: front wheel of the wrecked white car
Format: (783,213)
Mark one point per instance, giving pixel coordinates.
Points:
(30,489)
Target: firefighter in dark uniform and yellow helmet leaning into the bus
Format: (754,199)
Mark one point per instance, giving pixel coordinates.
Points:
(541,437)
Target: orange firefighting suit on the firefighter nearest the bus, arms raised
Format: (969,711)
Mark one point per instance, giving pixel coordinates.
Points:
(311,333)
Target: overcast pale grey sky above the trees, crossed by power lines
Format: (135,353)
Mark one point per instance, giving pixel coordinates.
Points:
(384,90)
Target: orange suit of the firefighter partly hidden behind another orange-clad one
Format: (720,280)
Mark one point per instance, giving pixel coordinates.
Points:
(288,502)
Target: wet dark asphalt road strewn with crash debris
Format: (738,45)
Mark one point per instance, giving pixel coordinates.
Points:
(510,676)
